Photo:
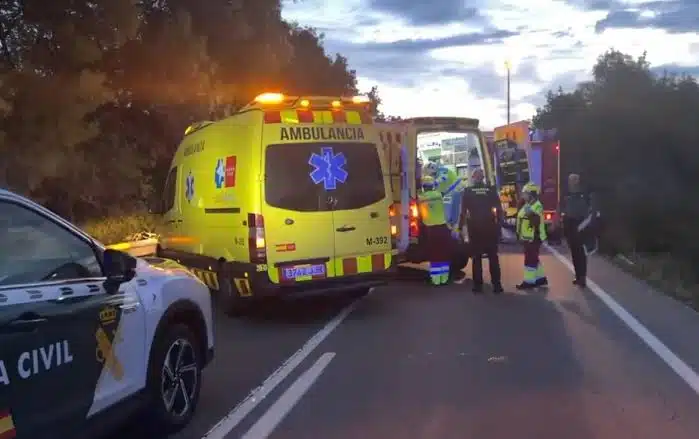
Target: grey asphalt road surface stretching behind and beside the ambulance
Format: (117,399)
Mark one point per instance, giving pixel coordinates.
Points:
(412,361)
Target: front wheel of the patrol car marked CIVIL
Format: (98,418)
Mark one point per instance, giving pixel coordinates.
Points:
(174,379)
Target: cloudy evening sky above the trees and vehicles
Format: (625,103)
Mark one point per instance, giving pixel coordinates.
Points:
(447,57)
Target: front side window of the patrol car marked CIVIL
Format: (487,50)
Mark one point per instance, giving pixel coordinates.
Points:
(36,249)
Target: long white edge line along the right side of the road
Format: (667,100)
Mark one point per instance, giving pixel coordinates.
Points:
(681,368)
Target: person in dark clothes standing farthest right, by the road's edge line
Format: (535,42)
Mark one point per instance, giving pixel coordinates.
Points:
(576,210)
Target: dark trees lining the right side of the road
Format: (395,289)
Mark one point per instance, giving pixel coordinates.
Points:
(634,137)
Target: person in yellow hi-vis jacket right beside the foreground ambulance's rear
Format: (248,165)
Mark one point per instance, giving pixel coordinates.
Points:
(437,234)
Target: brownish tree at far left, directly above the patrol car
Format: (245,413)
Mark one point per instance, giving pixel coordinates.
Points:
(52,80)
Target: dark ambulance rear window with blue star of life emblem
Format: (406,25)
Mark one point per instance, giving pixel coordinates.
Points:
(310,177)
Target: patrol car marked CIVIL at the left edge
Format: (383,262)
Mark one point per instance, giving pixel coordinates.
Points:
(91,336)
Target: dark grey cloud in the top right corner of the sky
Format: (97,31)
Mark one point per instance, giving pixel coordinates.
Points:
(674,16)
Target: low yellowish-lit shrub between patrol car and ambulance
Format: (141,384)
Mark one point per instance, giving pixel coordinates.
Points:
(123,228)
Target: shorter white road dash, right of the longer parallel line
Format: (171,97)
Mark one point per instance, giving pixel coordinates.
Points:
(266,425)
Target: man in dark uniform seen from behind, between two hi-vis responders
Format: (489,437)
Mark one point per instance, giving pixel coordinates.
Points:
(481,211)
